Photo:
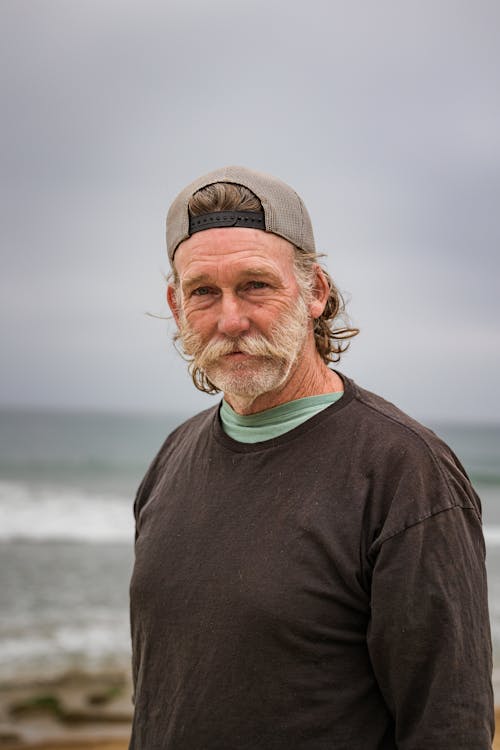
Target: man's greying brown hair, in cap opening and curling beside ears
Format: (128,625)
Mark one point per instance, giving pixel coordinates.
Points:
(330,340)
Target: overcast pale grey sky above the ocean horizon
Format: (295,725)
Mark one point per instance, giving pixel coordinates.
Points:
(385,117)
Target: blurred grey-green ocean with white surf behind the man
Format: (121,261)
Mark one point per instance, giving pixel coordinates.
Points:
(67,483)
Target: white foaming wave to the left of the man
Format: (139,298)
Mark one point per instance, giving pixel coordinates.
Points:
(44,513)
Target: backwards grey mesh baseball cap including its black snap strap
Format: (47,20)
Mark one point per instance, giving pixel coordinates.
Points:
(284,212)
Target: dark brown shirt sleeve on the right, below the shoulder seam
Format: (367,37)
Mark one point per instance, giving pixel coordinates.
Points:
(429,638)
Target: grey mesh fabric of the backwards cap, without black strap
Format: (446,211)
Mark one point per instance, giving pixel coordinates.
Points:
(284,212)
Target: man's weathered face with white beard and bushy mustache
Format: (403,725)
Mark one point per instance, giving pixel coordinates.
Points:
(240,312)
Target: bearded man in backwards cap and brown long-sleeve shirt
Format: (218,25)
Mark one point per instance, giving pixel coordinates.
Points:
(309,560)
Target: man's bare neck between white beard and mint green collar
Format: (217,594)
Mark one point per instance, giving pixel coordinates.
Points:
(313,379)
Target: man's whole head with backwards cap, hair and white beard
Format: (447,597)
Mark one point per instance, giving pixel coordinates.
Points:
(248,294)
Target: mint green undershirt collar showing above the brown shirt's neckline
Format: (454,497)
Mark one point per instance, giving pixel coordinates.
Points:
(254,428)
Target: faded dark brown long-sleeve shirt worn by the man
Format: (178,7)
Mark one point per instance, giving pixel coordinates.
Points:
(324,590)
